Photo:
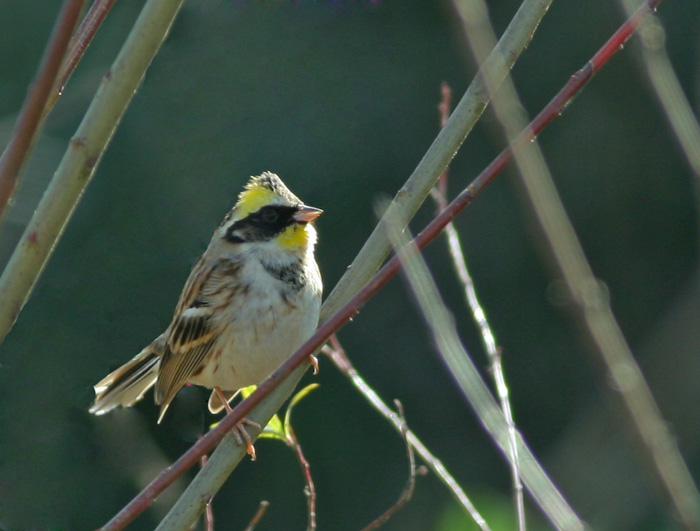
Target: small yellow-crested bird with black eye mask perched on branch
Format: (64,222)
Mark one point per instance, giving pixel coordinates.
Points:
(250,302)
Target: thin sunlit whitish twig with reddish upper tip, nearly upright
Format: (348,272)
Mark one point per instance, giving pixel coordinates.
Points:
(479,315)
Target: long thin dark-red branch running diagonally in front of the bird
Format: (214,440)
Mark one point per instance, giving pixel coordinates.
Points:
(554,109)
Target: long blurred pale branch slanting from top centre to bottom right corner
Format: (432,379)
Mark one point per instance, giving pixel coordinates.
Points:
(584,287)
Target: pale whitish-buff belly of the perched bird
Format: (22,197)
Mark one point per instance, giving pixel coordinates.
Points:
(254,344)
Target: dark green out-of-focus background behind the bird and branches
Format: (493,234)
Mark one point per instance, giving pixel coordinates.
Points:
(340,98)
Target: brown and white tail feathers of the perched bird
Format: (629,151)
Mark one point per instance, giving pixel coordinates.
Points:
(128,383)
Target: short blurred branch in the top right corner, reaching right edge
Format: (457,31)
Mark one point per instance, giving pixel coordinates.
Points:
(674,103)
